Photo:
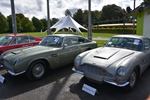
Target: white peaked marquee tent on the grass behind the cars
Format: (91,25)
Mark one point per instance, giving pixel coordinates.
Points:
(67,22)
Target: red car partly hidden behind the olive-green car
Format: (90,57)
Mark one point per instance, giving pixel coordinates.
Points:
(13,41)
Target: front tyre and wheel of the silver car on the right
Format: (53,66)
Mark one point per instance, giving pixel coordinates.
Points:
(132,80)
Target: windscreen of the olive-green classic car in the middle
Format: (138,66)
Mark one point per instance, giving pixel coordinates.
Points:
(52,41)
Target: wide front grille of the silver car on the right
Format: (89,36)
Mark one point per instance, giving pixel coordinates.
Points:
(95,70)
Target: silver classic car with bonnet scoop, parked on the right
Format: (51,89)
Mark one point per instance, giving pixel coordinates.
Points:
(120,62)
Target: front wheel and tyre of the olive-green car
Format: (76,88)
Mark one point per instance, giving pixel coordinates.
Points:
(37,70)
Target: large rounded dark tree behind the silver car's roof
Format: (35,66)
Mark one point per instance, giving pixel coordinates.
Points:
(112,12)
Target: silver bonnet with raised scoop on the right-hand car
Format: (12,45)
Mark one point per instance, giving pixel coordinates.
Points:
(103,57)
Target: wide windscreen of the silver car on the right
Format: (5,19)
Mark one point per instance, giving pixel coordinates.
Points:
(128,43)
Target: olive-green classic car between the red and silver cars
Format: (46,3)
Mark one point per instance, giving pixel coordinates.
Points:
(52,52)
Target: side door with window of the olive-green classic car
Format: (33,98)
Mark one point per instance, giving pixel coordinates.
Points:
(70,50)
